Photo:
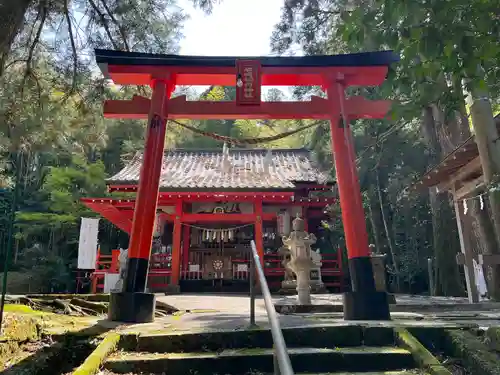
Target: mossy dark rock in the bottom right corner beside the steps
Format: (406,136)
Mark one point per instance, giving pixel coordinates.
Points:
(474,354)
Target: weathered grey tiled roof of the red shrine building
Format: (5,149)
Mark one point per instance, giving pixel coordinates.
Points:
(243,169)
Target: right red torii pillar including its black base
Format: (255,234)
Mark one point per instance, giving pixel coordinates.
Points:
(363,302)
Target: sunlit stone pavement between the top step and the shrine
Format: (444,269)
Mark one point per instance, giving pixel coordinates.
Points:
(223,312)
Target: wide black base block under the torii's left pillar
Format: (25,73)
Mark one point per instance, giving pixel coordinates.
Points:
(132,307)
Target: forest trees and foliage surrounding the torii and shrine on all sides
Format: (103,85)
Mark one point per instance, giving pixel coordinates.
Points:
(53,135)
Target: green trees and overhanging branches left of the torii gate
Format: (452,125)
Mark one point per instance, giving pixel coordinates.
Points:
(51,111)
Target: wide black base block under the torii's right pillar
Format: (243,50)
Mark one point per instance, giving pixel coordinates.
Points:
(366,306)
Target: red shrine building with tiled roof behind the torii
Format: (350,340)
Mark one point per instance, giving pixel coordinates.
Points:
(211,204)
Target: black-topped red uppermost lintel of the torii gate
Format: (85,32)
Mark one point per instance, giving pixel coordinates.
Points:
(132,68)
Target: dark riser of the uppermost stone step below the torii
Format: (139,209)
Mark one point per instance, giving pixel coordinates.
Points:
(347,335)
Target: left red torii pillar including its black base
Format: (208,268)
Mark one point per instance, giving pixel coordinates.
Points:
(133,304)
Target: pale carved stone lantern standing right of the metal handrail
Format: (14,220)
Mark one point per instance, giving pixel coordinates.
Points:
(299,244)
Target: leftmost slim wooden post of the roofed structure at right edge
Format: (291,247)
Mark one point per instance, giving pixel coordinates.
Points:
(465,246)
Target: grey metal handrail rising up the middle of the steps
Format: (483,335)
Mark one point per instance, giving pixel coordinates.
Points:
(282,360)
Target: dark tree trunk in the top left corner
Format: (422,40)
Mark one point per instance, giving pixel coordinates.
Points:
(11,21)
